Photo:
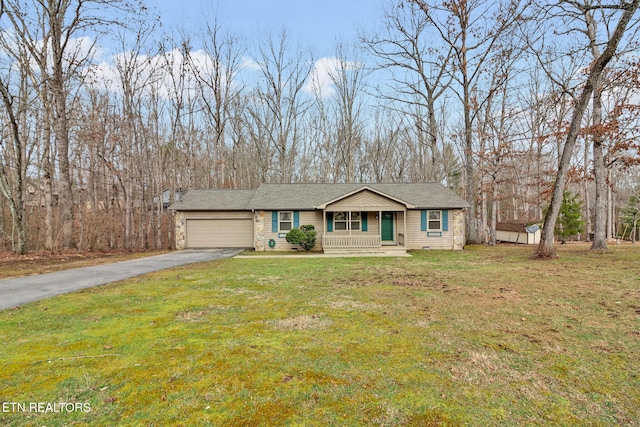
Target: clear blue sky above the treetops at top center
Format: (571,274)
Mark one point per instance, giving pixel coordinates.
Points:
(314,24)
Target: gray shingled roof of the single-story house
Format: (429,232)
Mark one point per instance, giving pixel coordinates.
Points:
(309,196)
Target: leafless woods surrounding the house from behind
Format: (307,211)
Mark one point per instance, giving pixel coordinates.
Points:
(508,103)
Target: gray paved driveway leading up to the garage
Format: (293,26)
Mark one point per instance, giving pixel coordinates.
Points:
(21,290)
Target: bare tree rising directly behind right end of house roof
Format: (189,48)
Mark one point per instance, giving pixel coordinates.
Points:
(418,65)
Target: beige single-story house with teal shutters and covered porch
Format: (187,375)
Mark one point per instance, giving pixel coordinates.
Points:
(346,217)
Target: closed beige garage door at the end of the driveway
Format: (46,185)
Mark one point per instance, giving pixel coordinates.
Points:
(219,233)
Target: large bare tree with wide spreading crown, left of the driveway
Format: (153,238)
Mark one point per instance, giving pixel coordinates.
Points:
(58,24)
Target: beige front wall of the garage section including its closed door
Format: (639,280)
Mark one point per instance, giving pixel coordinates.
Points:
(229,229)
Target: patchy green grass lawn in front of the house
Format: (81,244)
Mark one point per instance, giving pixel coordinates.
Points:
(482,337)
